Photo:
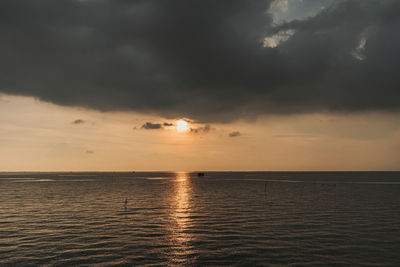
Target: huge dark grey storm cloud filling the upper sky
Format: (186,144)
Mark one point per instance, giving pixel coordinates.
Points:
(201,59)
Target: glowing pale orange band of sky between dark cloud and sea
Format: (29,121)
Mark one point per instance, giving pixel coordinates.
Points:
(39,136)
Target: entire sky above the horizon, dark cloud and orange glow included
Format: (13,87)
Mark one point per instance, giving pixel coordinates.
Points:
(102,85)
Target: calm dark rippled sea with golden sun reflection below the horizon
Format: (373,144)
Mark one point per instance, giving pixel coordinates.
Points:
(223,218)
